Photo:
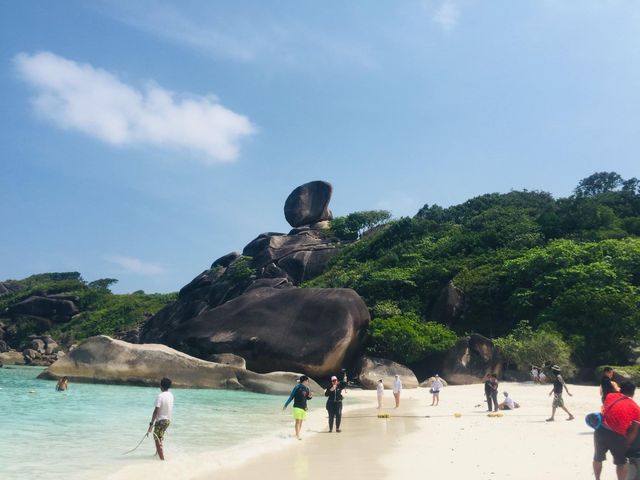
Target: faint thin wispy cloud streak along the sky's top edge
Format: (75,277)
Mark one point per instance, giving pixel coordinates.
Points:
(250,38)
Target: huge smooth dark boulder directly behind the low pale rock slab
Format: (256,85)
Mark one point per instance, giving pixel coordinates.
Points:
(315,331)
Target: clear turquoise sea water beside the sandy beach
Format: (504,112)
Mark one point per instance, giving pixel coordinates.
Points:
(80,433)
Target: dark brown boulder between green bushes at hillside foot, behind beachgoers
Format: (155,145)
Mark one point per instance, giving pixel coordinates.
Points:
(470,360)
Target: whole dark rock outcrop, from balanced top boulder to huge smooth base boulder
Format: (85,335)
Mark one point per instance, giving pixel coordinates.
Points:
(248,304)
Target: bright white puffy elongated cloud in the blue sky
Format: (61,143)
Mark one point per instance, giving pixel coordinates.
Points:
(77,96)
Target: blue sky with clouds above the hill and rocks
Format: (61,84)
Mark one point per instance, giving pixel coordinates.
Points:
(142,140)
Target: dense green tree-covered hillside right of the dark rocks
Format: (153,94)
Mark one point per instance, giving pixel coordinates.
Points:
(530,270)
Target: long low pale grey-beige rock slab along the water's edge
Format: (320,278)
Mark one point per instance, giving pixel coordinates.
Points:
(103,359)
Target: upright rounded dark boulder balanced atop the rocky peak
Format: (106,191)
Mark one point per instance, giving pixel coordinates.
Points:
(309,203)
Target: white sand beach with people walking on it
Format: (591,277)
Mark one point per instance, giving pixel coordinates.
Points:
(417,441)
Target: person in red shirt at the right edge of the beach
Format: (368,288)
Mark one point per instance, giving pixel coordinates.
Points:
(620,417)
